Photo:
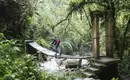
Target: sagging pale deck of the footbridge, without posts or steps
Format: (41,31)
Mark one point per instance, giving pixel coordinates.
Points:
(32,47)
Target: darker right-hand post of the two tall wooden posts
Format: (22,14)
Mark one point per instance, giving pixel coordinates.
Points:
(109,34)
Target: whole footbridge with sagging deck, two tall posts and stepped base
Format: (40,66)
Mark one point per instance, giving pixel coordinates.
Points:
(96,71)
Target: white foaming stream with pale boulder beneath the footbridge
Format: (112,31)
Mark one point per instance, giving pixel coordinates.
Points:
(55,65)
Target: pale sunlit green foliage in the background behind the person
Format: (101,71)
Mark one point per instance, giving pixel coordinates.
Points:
(76,33)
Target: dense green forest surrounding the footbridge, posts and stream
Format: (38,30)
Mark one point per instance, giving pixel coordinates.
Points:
(70,20)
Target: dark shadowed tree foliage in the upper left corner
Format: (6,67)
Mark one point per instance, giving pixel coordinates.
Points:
(17,17)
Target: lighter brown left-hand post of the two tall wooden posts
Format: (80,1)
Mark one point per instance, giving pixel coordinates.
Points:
(95,34)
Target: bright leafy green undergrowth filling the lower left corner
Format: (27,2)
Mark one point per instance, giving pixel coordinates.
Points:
(15,64)
